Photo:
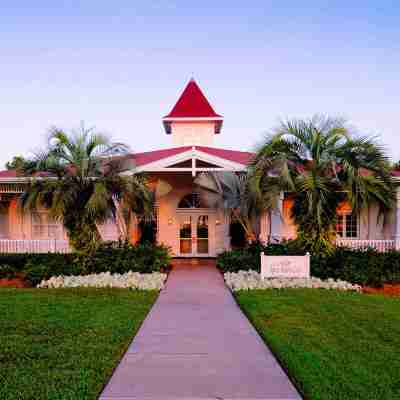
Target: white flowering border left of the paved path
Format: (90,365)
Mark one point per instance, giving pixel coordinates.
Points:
(133,280)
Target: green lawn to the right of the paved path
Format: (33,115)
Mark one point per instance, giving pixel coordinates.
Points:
(334,345)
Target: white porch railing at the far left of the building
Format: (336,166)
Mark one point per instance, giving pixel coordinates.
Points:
(34,246)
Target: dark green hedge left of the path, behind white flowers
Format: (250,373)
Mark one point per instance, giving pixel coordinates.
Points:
(113,257)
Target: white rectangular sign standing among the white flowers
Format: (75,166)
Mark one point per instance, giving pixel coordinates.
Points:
(285,266)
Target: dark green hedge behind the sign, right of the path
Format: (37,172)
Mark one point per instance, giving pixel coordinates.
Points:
(364,267)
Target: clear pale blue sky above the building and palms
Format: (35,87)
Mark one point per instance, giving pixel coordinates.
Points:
(119,66)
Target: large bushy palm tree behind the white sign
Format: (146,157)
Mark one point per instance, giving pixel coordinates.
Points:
(322,163)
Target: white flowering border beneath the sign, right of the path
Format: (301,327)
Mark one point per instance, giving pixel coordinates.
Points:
(247,280)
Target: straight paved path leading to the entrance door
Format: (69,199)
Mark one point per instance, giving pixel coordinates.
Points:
(196,344)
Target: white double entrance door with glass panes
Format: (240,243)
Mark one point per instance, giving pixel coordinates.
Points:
(195,231)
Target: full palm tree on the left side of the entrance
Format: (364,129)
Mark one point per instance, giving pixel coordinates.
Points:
(78,179)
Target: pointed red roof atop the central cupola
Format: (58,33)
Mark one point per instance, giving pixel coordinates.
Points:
(192,103)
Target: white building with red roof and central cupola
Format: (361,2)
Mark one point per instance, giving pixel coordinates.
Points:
(190,228)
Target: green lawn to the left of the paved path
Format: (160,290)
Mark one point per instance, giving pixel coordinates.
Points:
(64,343)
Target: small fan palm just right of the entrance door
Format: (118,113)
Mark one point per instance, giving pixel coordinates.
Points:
(231,193)
